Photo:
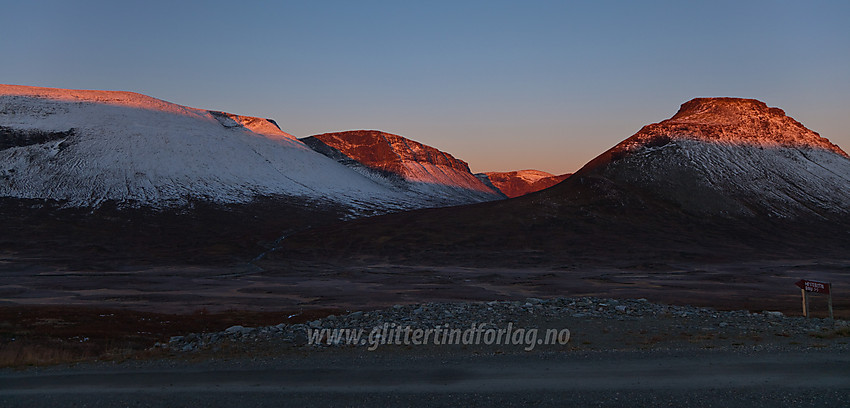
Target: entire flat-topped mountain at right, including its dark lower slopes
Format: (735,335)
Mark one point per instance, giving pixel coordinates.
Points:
(723,179)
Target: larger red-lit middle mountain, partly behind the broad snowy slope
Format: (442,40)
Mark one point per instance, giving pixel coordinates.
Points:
(410,166)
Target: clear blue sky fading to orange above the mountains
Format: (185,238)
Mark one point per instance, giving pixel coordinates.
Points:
(502,85)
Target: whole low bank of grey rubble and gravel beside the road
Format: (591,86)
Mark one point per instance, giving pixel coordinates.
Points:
(590,323)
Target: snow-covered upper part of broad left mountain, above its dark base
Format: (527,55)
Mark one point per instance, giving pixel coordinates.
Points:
(87,147)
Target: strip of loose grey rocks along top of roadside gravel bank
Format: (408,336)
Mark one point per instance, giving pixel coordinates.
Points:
(683,319)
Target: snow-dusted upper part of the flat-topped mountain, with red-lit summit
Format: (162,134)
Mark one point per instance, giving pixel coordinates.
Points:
(732,156)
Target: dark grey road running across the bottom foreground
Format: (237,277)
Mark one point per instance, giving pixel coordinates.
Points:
(392,378)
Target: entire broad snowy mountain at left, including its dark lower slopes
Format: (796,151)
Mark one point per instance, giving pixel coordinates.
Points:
(100,176)
